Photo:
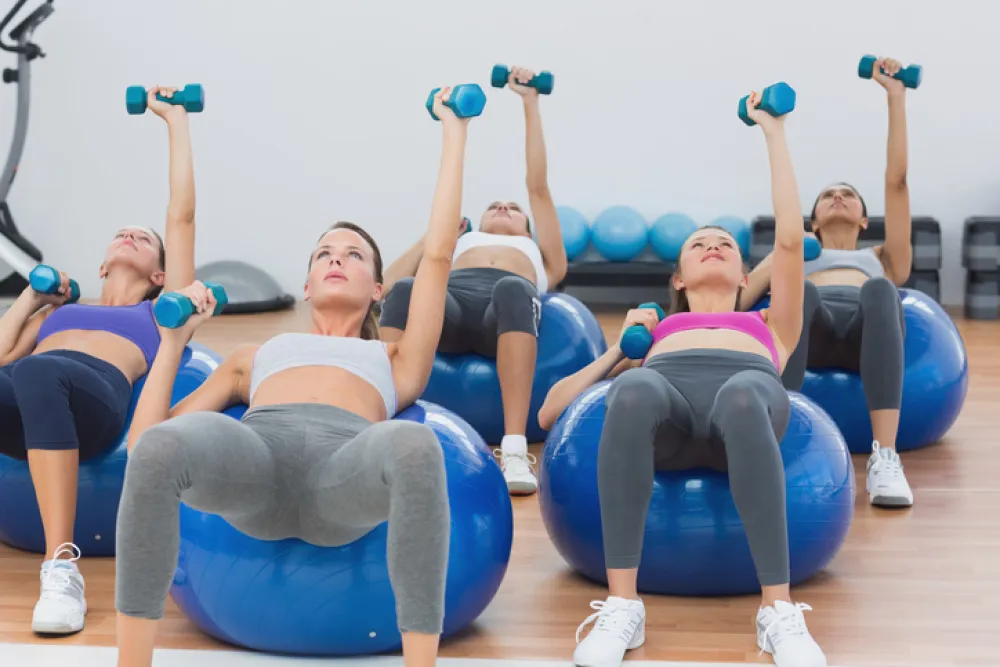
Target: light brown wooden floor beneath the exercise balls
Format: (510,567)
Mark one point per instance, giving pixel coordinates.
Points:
(910,588)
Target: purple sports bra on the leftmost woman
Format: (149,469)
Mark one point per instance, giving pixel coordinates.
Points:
(133,323)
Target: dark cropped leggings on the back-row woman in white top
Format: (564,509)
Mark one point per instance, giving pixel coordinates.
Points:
(482,304)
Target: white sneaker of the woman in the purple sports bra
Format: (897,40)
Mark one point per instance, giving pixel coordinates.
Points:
(61,606)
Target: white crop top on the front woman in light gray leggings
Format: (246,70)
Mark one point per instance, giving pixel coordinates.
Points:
(368,359)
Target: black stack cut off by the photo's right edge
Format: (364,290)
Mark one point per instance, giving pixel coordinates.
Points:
(981,258)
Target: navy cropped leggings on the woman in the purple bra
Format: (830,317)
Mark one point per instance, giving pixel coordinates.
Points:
(61,400)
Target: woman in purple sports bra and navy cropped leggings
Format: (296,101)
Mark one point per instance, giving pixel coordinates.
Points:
(67,381)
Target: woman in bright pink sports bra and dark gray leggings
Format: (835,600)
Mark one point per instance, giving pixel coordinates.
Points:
(707,395)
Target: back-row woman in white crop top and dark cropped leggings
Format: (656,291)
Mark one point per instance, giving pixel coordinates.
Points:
(493,305)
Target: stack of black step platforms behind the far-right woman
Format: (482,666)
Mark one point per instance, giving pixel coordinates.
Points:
(925,274)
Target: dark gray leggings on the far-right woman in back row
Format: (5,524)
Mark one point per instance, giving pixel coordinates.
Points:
(859,329)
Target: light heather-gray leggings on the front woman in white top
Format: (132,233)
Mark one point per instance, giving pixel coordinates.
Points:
(309,471)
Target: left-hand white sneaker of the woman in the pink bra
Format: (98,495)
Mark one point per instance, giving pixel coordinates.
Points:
(621,626)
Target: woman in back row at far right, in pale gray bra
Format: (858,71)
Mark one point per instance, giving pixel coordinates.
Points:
(852,316)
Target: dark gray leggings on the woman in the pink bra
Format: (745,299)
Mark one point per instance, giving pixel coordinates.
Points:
(698,408)
